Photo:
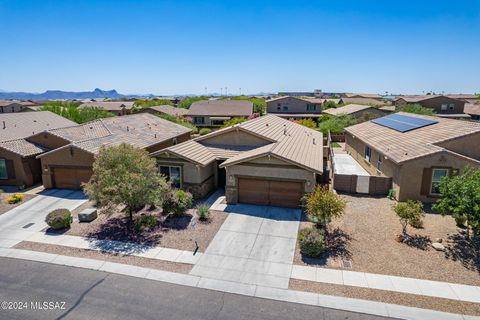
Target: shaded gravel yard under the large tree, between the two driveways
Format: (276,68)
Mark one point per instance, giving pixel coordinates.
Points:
(177,233)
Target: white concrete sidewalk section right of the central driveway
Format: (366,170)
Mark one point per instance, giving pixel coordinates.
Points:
(429,288)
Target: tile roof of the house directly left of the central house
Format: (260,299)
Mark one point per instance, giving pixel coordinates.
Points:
(141,130)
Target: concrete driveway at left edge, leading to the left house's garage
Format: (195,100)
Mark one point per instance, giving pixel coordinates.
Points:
(20,222)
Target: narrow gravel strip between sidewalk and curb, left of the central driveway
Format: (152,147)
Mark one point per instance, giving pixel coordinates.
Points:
(98,255)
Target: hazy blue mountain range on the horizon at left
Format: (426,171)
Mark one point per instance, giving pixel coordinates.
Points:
(70,95)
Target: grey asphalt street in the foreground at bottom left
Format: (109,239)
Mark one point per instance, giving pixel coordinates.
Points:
(34,290)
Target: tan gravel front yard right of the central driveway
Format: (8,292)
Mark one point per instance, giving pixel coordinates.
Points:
(366,236)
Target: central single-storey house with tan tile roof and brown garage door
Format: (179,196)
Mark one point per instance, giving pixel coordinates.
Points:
(267,160)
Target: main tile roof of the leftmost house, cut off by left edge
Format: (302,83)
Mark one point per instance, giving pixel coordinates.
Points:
(23,124)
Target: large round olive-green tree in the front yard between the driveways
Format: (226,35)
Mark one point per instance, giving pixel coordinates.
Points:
(125,175)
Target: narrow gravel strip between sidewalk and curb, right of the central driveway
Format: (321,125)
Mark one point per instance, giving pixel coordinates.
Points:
(410,300)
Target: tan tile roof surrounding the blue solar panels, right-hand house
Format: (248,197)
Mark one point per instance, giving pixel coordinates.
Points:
(401,147)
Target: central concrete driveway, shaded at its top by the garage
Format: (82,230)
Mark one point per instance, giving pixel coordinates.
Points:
(255,245)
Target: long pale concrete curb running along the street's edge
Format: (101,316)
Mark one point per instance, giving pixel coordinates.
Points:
(307,298)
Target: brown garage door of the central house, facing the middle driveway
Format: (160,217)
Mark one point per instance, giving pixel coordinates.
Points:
(270,192)
